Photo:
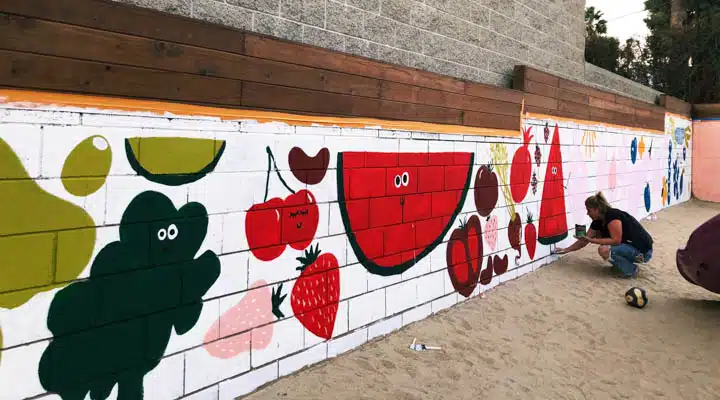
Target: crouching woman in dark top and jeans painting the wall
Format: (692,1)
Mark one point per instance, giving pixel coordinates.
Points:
(621,238)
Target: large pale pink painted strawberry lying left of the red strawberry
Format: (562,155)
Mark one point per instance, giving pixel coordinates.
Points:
(254,310)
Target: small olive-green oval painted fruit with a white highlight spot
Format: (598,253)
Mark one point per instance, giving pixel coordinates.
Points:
(87,166)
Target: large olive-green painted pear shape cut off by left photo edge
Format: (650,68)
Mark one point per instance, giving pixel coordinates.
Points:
(44,240)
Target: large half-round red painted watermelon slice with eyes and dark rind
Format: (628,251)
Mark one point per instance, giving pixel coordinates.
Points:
(397,207)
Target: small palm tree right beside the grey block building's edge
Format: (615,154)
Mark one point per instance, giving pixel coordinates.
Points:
(600,49)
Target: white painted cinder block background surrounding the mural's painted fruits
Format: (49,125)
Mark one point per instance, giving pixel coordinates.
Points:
(370,305)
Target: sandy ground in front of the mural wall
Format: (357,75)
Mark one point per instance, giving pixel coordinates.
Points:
(562,332)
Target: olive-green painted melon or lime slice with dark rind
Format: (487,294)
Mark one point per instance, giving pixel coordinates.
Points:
(173,161)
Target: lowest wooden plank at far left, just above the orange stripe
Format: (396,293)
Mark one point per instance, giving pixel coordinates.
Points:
(25,70)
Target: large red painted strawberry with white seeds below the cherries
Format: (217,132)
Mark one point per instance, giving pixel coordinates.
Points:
(316,292)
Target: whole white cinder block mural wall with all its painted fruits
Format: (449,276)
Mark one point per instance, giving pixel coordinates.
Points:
(158,257)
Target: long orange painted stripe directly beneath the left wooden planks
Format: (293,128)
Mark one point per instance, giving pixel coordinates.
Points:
(35,99)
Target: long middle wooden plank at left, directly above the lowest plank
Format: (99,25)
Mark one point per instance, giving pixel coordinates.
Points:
(39,36)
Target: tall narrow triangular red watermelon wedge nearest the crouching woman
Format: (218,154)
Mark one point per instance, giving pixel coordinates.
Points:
(553,218)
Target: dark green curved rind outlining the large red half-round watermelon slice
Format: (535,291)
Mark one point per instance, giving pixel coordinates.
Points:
(370,265)
